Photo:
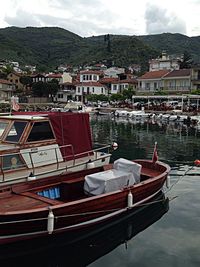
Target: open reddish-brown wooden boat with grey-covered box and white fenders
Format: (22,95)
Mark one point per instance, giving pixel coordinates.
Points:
(73,201)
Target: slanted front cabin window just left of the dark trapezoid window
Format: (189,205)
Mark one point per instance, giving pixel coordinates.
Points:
(16,131)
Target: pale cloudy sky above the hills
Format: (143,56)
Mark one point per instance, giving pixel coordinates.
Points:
(96,17)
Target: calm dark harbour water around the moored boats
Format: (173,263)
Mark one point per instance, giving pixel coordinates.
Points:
(165,234)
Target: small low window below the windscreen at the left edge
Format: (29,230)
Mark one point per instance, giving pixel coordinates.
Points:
(10,162)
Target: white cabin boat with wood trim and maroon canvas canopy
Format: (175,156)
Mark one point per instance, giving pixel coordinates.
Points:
(44,144)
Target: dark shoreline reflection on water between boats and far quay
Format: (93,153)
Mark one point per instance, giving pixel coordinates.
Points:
(177,142)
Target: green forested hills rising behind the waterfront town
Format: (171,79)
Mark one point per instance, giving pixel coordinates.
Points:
(52,46)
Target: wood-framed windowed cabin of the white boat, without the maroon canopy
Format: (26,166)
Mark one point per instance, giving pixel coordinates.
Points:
(23,134)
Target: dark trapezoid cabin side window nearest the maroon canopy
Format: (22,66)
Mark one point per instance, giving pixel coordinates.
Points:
(40,131)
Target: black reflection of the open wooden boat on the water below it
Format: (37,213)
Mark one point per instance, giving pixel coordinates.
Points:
(85,247)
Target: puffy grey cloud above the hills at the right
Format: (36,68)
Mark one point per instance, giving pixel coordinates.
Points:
(159,21)
